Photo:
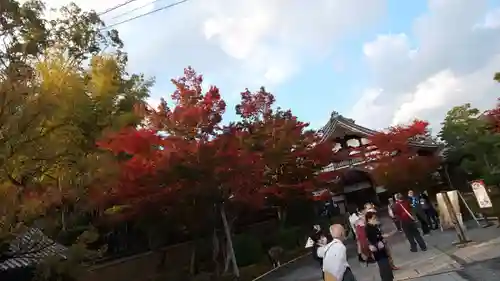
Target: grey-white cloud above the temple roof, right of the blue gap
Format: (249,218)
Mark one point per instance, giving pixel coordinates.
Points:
(455,54)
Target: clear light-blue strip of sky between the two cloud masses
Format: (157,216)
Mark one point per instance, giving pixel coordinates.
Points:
(338,89)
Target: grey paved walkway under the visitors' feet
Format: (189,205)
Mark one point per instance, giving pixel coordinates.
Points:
(479,261)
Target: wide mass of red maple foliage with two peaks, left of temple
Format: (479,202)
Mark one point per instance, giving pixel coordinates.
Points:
(184,158)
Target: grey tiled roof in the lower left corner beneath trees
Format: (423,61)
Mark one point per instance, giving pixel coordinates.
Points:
(30,249)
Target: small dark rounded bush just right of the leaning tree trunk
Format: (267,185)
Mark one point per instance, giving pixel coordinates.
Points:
(248,250)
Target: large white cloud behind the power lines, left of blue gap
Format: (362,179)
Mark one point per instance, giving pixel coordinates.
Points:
(244,43)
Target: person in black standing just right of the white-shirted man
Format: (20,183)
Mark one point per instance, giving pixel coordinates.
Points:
(377,247)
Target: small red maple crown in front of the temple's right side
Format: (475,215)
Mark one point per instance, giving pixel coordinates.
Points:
(396,162)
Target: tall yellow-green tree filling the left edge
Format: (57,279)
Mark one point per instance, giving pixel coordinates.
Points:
(59,93)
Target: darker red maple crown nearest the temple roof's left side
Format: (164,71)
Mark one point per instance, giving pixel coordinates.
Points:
(293,155)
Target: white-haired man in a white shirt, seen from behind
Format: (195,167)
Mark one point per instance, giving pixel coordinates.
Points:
(335,257)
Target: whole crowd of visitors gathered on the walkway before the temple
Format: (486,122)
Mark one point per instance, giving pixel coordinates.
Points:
(414,215)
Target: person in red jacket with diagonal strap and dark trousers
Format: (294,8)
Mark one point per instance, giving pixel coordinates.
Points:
(402,210)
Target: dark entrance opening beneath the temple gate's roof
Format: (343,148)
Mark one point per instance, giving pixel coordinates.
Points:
(359,189)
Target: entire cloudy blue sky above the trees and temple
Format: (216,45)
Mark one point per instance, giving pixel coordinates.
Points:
(379,62)
